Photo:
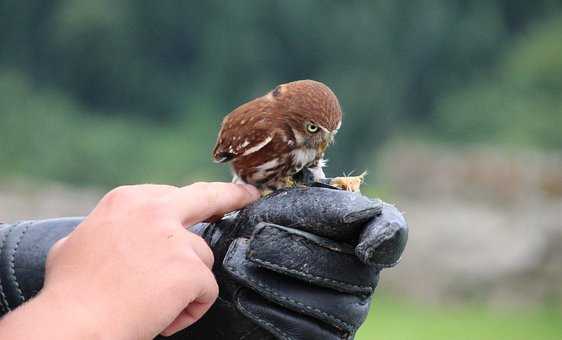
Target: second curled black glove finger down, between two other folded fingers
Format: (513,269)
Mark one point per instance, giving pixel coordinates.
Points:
(341,310)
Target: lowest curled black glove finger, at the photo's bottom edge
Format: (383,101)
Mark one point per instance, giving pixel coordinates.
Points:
(283,323)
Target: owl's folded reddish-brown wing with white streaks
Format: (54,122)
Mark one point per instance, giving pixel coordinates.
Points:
(245,130)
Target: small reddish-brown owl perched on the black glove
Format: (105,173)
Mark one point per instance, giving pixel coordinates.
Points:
(273,137)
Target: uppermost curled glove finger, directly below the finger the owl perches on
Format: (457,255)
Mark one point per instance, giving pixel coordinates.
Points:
(311,258)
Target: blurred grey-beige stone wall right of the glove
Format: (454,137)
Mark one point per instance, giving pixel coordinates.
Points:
(484,224)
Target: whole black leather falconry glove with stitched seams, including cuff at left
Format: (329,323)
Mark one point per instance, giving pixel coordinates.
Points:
(291,282)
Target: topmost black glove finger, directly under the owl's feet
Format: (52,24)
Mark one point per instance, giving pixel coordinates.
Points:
(335,214)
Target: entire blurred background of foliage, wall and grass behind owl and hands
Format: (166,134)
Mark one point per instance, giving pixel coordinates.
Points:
(454,107)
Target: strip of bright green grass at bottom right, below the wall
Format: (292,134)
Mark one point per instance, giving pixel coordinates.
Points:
(399,320)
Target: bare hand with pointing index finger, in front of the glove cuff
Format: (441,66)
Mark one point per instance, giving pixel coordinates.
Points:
(131,270)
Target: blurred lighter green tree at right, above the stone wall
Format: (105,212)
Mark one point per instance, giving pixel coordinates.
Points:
(517,104)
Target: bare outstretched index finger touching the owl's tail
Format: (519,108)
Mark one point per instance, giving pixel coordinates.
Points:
(199,201)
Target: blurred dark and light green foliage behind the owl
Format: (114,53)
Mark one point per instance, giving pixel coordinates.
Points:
(155,78)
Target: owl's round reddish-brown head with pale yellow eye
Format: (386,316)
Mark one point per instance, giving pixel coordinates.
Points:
(312,110)
